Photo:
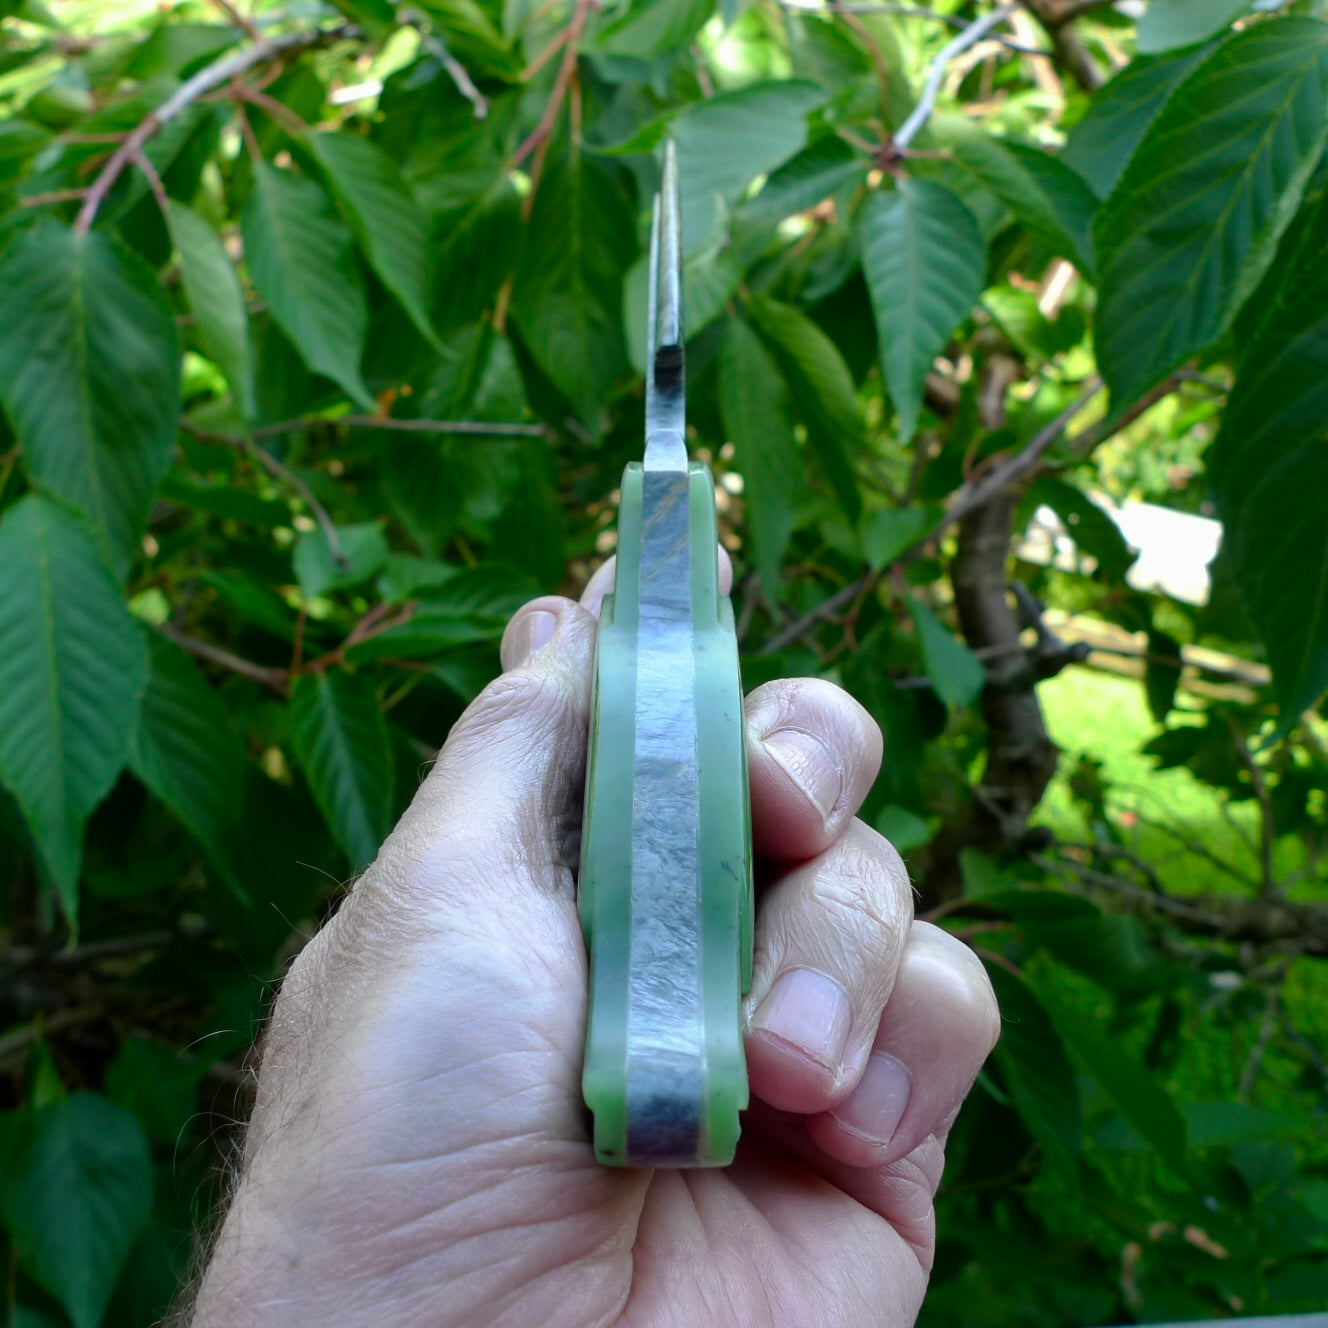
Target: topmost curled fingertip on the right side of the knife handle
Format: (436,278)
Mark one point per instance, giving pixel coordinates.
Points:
(812,755)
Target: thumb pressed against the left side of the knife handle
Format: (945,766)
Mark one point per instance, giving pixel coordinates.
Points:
(501,809)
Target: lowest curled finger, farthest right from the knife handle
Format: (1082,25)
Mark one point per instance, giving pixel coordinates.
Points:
(938,1029)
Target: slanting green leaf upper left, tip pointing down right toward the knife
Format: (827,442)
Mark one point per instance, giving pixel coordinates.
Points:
(387,224)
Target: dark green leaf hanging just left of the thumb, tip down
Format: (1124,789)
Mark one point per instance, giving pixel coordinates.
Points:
(342,743)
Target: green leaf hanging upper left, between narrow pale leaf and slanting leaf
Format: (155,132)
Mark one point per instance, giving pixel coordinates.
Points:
(299,256)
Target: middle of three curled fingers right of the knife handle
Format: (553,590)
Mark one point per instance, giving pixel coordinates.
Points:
(829,938)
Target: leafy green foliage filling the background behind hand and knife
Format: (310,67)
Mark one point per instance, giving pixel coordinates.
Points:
(322,351)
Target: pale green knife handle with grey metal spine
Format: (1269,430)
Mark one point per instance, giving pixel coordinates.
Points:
(666,880)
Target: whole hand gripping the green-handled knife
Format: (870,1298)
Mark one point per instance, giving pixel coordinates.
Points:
(419,1152)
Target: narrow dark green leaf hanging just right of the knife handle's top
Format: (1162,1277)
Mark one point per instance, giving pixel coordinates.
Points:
(758,418)
